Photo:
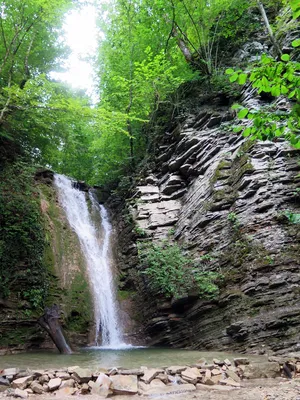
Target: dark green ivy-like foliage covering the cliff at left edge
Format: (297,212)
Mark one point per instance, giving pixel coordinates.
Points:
(21,237)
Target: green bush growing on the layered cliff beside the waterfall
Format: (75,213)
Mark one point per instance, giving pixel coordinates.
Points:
(173,274)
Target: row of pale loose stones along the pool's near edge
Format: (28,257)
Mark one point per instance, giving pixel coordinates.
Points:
(224,375)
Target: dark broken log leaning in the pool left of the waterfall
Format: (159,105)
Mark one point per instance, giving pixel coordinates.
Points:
(50,322)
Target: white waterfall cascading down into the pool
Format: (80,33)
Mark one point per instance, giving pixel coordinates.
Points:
(97,257)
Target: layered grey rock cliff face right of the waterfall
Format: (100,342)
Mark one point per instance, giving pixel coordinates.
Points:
(230,199)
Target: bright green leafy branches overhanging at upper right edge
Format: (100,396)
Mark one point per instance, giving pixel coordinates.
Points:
(277,78)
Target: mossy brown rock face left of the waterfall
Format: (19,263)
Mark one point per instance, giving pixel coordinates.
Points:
(63,275)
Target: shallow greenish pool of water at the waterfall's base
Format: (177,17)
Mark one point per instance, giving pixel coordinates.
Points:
(94,358)
